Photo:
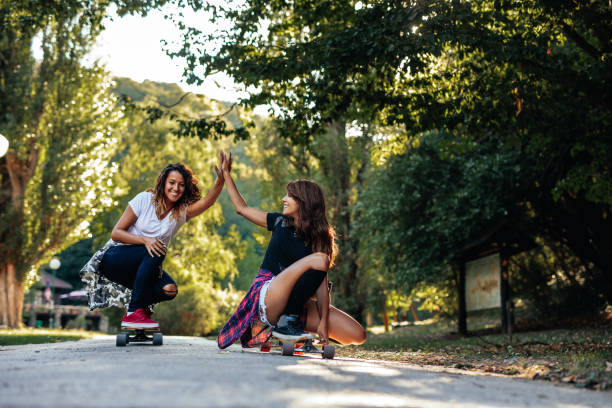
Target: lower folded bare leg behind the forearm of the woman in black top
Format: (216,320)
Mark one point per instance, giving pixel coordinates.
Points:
(341,327)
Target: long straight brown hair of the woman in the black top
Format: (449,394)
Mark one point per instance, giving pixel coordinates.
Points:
(312,225)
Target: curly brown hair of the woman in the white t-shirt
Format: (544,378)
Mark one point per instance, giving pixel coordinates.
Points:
(190,195)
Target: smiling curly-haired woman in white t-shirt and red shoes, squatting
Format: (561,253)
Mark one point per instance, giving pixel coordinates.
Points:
(134,255)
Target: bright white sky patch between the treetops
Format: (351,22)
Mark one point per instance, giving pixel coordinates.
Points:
(131,47)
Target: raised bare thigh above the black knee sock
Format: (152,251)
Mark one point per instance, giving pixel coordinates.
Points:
(281,286)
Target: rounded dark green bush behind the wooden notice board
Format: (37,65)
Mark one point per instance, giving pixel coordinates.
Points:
(436,198)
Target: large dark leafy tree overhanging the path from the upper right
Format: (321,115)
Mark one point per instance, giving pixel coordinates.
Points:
(528,78)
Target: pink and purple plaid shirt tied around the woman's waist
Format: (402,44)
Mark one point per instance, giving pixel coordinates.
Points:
(239,324)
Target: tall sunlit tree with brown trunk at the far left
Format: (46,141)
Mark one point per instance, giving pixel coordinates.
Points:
(59,118)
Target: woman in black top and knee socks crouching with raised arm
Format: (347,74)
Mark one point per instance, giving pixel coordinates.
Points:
(294,269)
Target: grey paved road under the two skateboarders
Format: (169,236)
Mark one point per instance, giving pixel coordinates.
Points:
(192,372)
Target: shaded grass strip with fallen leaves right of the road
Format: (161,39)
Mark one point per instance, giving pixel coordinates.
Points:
(576,354)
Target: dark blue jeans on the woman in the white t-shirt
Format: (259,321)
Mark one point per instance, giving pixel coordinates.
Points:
(133,267)
